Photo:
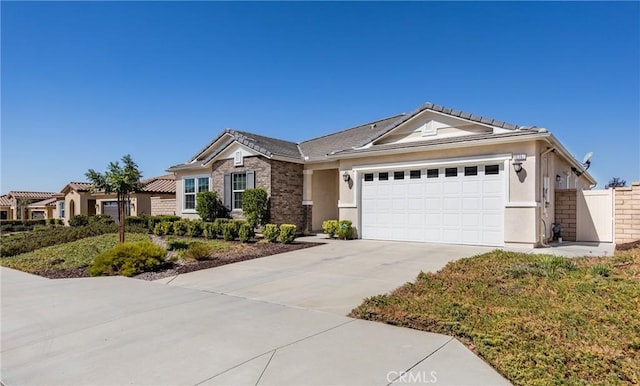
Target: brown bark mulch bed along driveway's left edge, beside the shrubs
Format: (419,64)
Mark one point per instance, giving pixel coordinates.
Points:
(238,252)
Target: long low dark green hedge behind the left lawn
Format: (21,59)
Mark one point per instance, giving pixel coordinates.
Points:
(18,243)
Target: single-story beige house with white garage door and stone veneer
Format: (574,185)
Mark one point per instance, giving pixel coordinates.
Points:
(433,175)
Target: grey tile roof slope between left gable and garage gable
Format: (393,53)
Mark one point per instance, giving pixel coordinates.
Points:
(318,148)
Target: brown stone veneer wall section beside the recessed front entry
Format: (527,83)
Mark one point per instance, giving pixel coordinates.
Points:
(286,193)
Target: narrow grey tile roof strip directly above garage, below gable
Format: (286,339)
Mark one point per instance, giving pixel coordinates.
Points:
(435,142)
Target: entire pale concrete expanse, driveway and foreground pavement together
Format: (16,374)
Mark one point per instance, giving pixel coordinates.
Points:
(233,325)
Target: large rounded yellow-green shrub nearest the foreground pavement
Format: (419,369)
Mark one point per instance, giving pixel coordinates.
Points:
(128,259)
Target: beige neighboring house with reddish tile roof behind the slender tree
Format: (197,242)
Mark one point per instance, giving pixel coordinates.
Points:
(157,194)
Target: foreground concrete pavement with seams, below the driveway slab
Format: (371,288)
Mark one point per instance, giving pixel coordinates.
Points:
(115,331)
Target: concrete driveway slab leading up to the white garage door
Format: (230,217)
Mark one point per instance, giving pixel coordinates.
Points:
(333,278)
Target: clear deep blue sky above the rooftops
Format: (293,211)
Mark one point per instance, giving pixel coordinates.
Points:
(84,83)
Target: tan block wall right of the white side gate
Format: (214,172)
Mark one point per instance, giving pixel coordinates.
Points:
(627,208)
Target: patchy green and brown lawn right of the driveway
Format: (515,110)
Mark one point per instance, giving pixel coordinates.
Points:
(536,319)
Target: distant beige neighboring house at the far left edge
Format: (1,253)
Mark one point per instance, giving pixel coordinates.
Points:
(17,205)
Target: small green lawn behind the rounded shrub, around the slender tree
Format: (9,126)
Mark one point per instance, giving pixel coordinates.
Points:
(76,254)
